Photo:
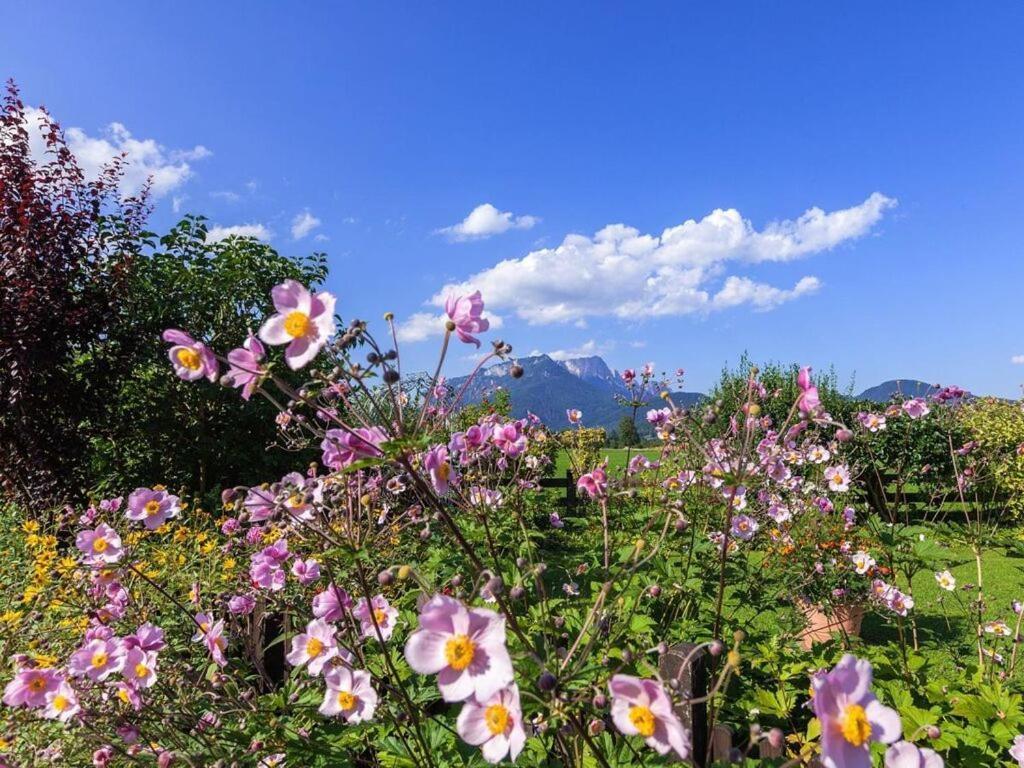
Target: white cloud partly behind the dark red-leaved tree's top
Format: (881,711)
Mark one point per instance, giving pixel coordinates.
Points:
(145,158)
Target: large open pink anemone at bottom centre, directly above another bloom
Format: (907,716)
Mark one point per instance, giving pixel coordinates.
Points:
(465,648)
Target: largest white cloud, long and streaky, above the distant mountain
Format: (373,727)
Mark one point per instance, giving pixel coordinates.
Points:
(624,274)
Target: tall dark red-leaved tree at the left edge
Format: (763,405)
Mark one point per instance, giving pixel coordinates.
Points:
(67,247)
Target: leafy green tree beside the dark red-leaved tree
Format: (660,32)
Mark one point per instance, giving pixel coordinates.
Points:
(156,429)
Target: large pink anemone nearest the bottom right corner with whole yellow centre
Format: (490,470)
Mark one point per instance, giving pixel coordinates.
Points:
(851,717)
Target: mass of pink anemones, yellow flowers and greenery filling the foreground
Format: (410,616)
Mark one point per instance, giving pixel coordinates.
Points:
(409,601)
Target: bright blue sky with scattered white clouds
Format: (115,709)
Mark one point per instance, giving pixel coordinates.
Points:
(389,124)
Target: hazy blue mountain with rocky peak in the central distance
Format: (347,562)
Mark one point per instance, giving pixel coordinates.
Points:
(548,389)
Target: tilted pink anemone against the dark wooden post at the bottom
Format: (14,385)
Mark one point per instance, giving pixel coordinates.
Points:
(643,708)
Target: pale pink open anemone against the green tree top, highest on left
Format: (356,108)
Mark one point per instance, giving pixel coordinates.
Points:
(305,322)
